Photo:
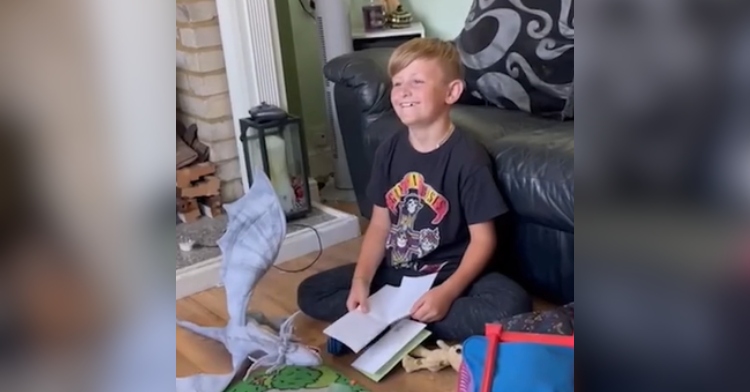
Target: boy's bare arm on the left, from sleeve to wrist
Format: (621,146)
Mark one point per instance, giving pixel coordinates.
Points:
(373,245)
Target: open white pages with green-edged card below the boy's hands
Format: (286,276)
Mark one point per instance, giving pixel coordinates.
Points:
(388,316)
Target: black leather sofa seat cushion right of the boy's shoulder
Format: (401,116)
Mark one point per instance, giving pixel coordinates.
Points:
(534,161)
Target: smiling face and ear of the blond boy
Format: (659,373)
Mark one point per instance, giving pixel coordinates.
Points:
(421,93)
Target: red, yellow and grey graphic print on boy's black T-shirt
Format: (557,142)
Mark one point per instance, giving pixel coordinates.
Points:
(407,199)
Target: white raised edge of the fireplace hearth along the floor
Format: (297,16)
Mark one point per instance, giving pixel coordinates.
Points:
(205,275)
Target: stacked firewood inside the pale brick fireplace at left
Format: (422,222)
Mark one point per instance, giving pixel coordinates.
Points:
(198,188)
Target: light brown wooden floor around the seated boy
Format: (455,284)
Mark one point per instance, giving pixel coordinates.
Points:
(276,297)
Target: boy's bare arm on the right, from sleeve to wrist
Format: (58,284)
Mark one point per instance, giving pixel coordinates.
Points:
(478,254)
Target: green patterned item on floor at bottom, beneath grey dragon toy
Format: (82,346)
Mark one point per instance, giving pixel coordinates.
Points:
(297,379)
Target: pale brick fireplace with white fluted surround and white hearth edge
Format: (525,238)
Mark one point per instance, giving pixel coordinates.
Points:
(250,61)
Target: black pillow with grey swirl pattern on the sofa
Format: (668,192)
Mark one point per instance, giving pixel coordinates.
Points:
(518,54)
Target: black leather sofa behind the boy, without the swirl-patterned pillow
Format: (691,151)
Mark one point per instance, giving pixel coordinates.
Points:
(534,158)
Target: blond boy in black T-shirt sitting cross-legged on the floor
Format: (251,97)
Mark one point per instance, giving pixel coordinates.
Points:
(434,199)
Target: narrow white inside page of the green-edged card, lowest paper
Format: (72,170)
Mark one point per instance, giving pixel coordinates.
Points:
(377,355)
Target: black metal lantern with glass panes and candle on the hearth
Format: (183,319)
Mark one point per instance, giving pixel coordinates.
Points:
(279,145)
